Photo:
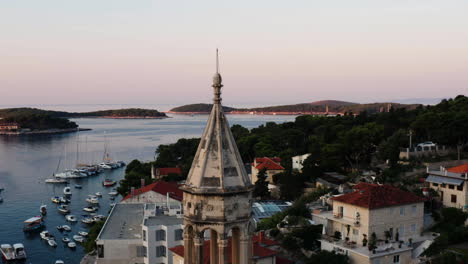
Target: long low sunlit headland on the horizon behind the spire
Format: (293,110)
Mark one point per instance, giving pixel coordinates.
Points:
(326,107)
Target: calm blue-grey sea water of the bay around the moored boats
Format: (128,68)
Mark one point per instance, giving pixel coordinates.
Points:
(26,161)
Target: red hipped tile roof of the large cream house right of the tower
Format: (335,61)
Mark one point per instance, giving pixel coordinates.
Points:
(374,196)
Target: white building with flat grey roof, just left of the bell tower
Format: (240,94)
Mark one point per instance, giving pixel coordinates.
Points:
(139,233)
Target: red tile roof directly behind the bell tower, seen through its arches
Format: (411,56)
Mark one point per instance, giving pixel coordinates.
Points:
(258,250)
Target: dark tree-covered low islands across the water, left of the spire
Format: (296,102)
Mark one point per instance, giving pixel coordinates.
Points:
(21,121)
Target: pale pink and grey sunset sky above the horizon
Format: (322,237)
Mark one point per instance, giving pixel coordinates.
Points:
(275,51)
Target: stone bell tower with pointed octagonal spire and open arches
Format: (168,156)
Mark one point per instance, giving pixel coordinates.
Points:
(218,194)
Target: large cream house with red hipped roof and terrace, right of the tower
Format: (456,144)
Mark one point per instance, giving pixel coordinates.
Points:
(394,216)
